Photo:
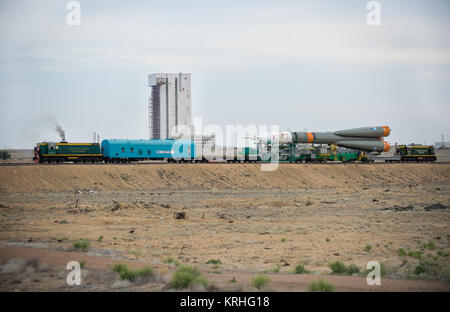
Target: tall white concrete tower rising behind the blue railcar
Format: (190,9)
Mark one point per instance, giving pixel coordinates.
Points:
(169,105)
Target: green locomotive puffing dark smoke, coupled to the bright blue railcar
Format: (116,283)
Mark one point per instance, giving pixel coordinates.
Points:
(63,151)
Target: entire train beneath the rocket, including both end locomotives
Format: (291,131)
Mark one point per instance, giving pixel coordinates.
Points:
(181,151)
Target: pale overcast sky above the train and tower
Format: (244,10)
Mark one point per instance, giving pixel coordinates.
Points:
(312,65)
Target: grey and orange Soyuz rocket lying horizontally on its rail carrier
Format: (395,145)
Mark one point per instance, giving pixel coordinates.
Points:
(368,139)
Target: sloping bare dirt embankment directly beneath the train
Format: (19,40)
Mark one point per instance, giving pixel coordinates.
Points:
(53,178)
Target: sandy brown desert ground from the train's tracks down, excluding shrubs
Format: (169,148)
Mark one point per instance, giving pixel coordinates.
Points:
(253,221)
